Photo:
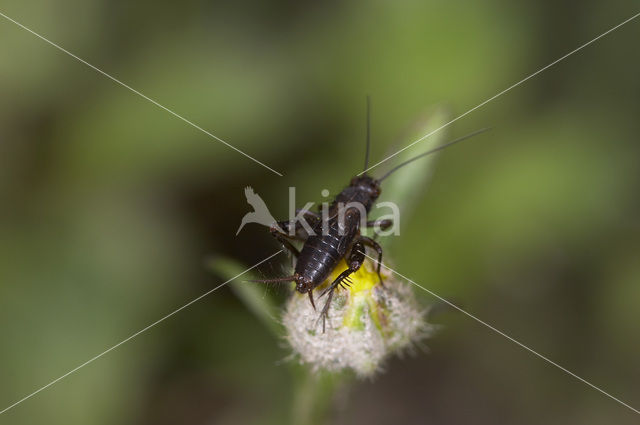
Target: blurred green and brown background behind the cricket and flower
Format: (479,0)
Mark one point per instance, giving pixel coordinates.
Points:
(110,207)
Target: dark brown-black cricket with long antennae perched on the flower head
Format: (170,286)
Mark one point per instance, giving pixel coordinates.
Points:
(341,238)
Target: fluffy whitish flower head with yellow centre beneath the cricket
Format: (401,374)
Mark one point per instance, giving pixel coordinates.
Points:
(367,323)
